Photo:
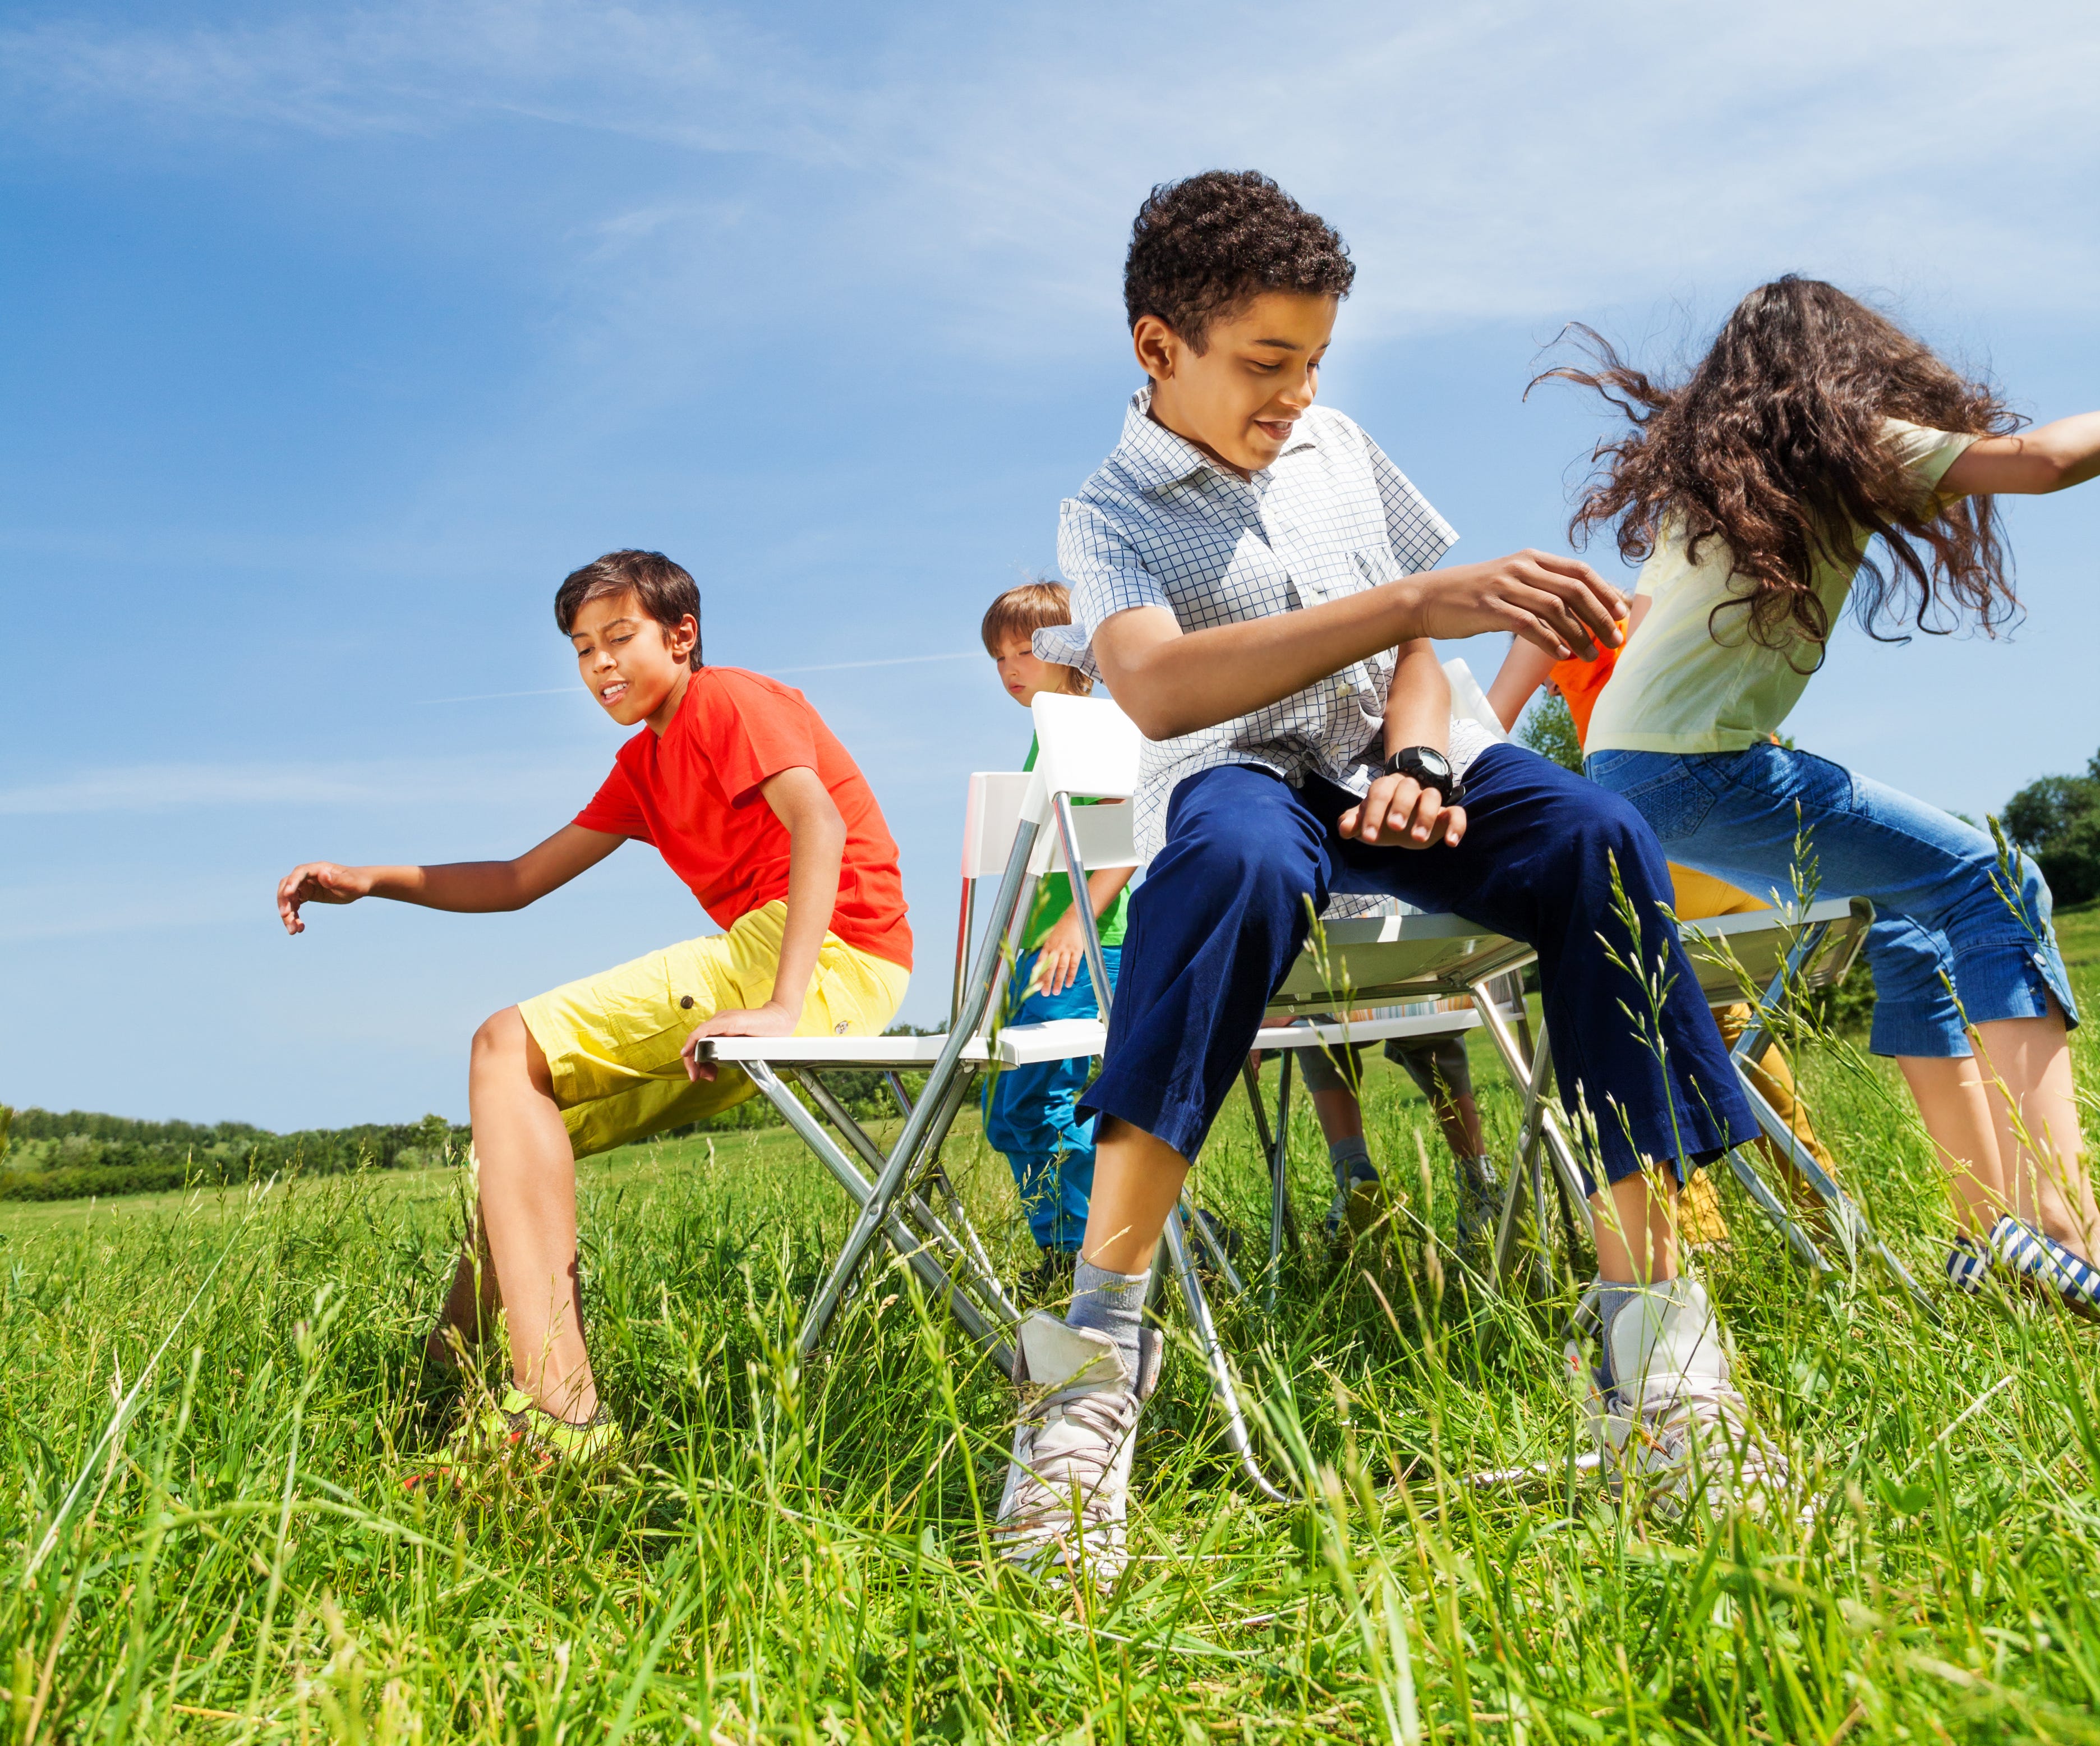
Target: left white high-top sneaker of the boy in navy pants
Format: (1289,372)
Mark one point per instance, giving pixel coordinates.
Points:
(1068,1487)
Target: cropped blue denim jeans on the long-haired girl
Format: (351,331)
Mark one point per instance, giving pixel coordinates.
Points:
(1948,911)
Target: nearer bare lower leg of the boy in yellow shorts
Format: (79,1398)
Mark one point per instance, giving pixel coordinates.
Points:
(528,1199)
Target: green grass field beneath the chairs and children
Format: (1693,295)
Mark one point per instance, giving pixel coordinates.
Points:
(211,1409)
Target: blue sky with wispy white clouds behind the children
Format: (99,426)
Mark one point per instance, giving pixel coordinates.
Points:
(341,335)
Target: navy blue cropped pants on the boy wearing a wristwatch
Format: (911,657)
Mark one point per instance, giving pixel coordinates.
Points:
(1223,915)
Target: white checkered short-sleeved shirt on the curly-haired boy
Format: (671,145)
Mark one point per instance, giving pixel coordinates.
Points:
(1164,526)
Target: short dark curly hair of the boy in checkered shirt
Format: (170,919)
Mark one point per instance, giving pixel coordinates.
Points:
(1215,241)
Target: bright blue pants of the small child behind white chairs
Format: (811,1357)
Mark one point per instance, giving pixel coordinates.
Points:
(1030,1110)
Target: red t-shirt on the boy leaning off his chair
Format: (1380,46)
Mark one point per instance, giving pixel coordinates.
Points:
(694,793)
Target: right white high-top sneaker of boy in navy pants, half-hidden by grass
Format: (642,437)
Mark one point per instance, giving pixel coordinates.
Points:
(1662,1409)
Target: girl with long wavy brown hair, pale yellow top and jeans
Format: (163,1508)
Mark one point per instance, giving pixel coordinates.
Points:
(1822,455)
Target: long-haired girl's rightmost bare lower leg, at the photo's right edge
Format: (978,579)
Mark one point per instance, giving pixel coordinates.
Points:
(2042,1155)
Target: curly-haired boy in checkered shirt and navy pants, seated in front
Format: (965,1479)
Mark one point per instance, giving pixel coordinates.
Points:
(1255,581)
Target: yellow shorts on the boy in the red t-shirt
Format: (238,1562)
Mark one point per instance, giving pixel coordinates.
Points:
(612,1041)
